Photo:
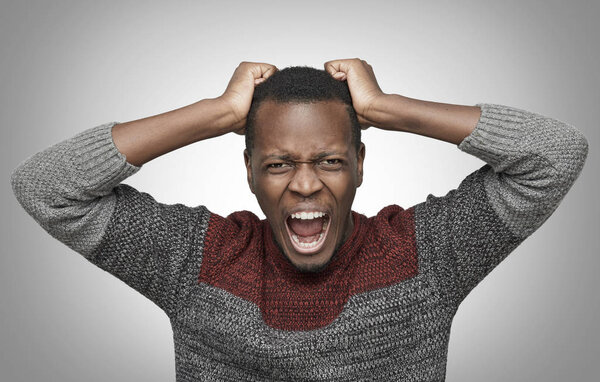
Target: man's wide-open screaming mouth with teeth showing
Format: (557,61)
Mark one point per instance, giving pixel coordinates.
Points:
(308,230)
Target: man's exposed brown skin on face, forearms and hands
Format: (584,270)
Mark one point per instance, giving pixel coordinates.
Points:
(301,134)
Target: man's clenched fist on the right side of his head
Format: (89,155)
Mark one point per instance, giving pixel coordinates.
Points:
(364,90)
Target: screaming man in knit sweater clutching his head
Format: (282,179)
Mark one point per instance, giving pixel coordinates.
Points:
(316,291)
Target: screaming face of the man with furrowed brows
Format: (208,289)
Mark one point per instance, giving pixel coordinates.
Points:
(304,171)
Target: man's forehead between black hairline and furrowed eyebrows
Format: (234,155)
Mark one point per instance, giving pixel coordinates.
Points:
(302,129)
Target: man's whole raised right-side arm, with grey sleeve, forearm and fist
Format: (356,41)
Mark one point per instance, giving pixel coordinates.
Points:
(531,163)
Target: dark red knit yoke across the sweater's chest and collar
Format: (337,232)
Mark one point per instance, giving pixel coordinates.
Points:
(241,257)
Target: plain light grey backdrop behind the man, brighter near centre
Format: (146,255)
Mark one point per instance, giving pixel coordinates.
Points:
(71,65)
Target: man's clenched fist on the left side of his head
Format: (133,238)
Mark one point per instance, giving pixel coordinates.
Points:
(238,95)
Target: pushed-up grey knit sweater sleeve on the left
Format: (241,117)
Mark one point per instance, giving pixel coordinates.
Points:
(73,190)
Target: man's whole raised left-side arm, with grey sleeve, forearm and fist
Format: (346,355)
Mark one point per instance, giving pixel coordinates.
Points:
(73,190)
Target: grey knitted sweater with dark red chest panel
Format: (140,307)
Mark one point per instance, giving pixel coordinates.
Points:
(383,307)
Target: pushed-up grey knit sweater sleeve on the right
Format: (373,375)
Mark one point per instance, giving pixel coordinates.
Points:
(531,163)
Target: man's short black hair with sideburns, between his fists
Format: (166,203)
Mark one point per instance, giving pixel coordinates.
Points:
(301,84)
